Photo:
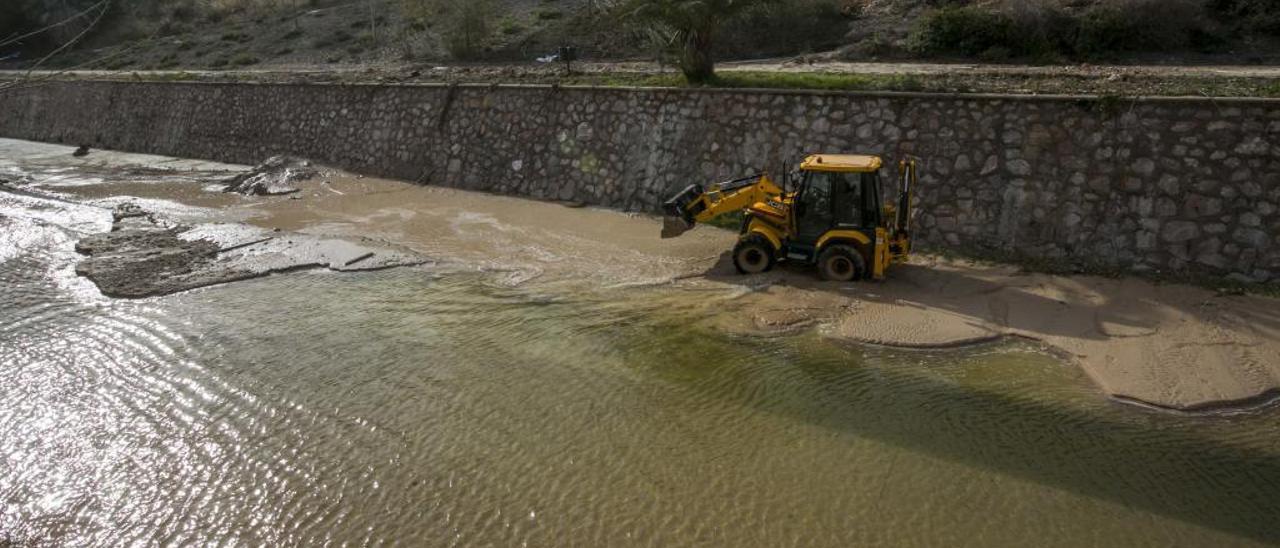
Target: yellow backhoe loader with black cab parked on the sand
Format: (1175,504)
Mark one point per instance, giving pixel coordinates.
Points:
(835,217)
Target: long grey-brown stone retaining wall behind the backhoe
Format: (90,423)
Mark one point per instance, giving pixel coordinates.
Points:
(1148,185)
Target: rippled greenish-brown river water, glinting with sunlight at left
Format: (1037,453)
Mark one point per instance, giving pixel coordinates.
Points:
(447,407)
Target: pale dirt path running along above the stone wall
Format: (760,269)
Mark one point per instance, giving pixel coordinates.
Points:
(939,77)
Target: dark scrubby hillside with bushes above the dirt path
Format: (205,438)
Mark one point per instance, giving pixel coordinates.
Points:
(281,34)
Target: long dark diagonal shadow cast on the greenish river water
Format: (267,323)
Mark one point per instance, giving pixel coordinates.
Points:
(1158,463)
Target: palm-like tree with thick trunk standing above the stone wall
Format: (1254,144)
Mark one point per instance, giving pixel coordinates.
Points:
(691,29)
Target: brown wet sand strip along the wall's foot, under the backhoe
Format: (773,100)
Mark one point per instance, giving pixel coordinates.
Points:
(1168,346)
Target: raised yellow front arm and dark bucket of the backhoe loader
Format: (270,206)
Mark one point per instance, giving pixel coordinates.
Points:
(697,205)
